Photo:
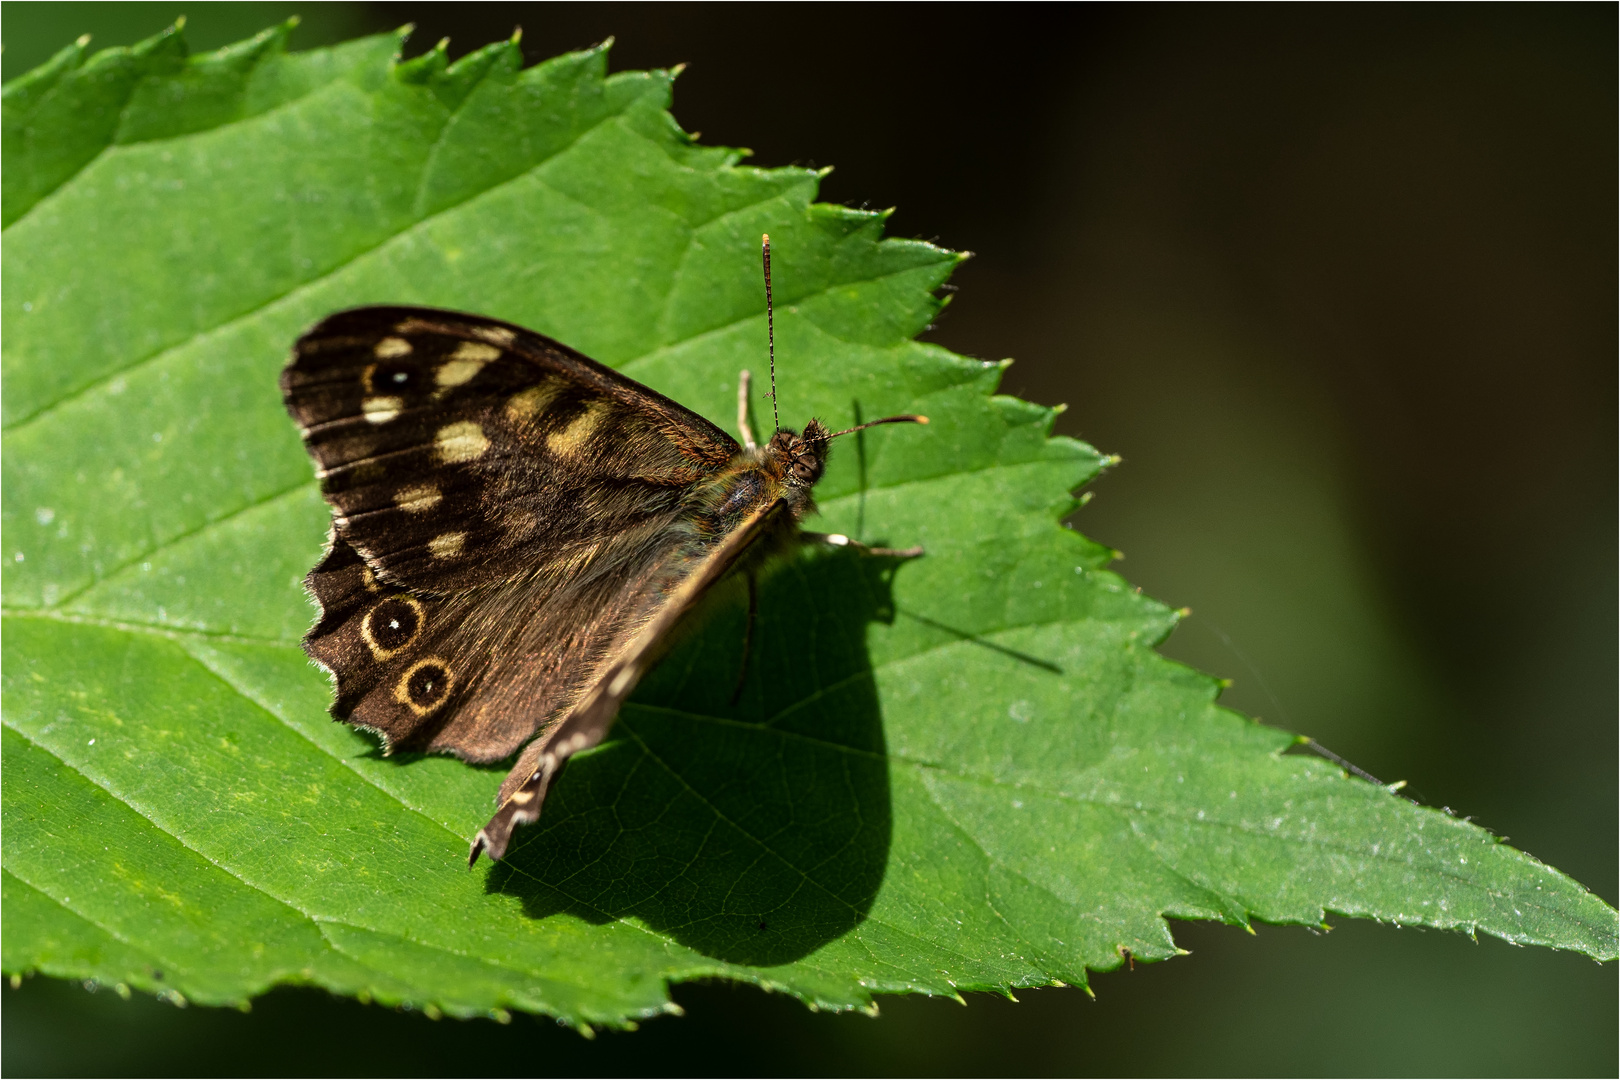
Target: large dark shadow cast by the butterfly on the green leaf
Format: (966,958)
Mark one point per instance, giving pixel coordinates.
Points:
(752,831)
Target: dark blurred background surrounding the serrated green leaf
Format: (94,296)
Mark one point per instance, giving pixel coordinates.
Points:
(1339,283)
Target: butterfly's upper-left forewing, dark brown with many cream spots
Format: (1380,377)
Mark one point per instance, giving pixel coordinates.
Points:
(459,451)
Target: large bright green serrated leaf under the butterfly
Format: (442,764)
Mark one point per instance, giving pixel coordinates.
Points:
(966,772)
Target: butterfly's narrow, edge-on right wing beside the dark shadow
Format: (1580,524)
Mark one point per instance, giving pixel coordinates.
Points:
(587,723)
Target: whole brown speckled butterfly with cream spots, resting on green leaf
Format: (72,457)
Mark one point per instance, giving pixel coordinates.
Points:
(518,530)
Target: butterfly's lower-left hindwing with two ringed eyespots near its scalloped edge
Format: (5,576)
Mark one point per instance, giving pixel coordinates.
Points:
(479,673)
